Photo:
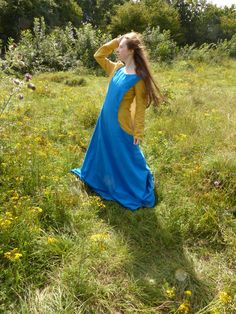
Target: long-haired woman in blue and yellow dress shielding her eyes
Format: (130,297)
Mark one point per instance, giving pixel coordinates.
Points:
(114,165)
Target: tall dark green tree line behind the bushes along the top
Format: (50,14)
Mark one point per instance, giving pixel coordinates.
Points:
(189,21)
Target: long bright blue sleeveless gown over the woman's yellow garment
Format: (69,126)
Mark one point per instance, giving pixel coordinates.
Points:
(113,166)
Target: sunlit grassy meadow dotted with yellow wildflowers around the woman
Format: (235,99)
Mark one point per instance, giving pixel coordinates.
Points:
(65,250)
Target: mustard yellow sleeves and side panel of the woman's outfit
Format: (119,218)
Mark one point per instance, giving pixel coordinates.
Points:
(131,113)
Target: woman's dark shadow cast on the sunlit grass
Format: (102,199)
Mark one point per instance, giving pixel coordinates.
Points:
(157,253)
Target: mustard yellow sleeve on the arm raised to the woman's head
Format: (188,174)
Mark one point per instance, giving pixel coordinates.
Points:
(101,54)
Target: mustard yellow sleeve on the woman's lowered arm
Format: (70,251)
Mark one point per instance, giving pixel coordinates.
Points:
(141,105)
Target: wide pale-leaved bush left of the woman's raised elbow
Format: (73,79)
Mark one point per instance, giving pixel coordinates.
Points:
(62,49)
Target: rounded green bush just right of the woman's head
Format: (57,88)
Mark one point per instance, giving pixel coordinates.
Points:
(161,47)
